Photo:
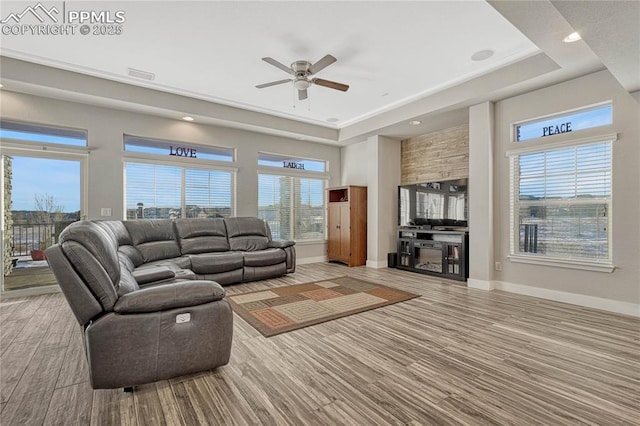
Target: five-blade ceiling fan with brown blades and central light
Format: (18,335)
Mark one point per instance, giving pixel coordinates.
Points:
(302,72)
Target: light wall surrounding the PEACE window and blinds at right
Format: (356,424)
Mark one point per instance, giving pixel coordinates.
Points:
(617,291)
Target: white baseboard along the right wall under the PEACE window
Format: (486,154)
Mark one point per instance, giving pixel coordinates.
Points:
(616,306)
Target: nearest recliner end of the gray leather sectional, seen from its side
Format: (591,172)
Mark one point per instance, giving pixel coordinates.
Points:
(132,334)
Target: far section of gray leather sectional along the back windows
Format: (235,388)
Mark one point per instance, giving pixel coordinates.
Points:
(227,251)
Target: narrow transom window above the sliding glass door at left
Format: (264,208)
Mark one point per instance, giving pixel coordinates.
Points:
(38,134)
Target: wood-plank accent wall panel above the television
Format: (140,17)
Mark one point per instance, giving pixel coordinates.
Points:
(441,155)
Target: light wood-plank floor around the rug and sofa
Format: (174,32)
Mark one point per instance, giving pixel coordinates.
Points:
(452,356)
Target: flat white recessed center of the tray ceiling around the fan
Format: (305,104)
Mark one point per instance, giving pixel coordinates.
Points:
(388,52)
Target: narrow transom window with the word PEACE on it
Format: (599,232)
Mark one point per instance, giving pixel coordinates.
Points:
(586,118)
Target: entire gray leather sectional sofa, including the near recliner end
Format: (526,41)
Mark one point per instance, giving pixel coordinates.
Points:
(148,293)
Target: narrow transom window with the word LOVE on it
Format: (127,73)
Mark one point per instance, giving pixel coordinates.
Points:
(176,149)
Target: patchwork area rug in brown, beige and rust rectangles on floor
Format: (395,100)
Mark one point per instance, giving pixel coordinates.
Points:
(282,309)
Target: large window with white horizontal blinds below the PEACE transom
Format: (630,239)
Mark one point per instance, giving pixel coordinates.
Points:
(561,202)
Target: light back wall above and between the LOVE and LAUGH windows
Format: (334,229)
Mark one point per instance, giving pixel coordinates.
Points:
(105,166)
